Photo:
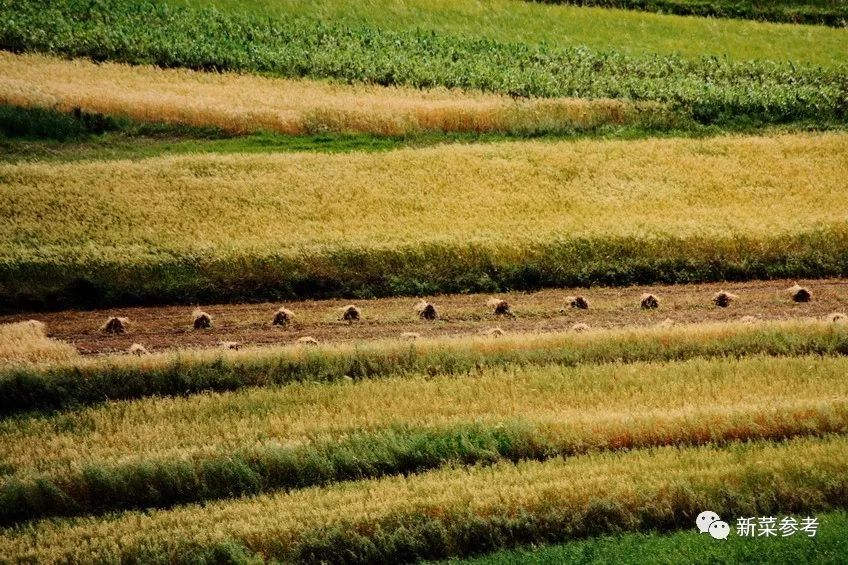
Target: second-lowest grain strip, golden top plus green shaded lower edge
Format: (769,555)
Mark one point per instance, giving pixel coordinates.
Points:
(157,453)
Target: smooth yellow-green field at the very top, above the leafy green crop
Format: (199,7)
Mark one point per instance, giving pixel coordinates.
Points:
(600,29)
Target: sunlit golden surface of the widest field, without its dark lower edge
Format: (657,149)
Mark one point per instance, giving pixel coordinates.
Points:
(222,206)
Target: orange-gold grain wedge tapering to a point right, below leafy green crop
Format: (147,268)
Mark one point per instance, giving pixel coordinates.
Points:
(245,103)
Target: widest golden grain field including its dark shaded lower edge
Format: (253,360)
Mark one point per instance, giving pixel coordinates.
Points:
(485,218)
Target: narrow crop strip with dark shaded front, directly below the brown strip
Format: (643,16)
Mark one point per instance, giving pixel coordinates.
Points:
(118,378)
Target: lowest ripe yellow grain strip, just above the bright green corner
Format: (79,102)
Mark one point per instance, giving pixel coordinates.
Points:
(659,488)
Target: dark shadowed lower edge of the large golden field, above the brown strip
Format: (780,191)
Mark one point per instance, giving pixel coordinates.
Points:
(168,278)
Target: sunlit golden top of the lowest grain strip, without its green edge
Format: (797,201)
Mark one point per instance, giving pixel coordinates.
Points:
(636,482)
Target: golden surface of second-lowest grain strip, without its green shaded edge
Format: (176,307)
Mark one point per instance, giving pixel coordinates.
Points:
(605,406)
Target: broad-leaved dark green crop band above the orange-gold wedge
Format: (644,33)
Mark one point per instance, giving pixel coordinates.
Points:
(708,90)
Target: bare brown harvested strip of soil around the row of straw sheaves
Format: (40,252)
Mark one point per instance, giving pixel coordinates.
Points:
(164,327)
